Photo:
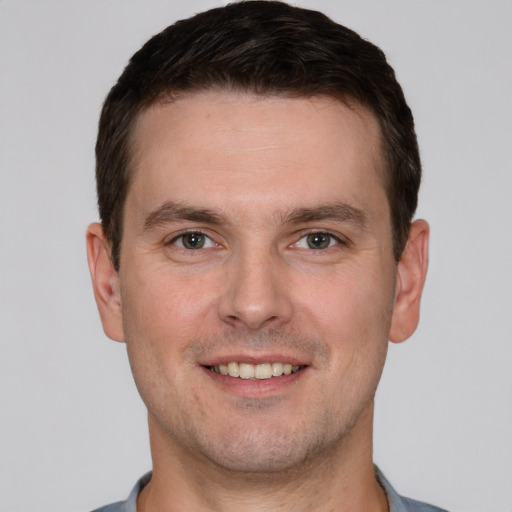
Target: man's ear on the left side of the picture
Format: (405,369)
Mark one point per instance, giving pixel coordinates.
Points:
(105,282)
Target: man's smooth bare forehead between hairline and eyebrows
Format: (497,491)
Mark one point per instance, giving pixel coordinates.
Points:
(236,144)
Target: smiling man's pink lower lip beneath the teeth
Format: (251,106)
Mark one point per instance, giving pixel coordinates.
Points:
(255,387)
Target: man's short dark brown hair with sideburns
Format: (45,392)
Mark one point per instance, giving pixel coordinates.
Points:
(266,48)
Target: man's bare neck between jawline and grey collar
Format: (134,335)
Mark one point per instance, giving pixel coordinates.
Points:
(340,478)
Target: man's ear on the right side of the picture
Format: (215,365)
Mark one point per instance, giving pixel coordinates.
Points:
(411,274)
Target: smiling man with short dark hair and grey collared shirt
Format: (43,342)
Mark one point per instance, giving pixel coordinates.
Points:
(257,173)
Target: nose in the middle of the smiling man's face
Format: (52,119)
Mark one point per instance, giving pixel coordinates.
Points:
(256,293)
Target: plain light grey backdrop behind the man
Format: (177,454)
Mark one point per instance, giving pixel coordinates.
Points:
(72,427)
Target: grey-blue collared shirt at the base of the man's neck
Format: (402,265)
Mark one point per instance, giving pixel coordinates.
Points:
(397,503)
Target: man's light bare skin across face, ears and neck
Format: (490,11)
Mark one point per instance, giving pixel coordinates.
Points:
(255,177)
